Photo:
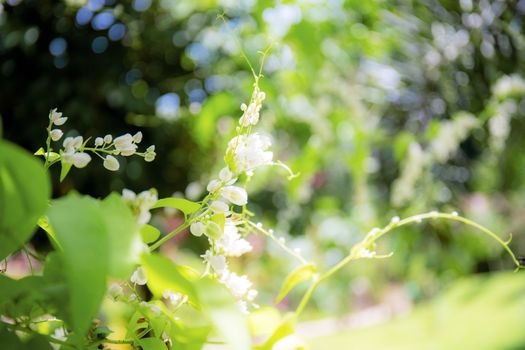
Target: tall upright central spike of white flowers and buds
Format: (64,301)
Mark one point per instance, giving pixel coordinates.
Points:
(219,222)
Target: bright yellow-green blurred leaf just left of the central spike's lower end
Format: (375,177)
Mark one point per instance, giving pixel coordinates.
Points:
(163,274)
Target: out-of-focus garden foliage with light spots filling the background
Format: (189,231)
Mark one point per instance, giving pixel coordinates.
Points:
(384,107)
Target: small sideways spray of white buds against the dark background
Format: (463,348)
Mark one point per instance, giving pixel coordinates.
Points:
(75,149)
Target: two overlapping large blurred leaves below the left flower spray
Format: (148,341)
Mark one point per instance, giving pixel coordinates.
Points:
(109,239)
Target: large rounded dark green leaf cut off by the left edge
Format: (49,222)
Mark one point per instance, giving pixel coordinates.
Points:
(24,194)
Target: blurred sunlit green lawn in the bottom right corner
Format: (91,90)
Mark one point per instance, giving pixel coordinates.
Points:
(482,312)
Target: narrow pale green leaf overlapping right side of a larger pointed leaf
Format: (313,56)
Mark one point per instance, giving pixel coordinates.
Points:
(124,238)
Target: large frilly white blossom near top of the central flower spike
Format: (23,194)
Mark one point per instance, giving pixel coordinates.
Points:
(247,152)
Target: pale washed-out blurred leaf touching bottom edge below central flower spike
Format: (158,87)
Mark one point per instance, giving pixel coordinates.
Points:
(221,308)
